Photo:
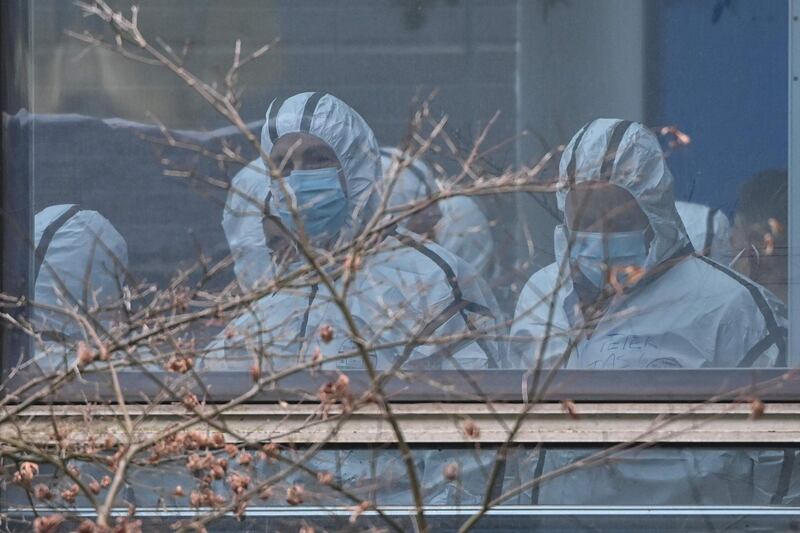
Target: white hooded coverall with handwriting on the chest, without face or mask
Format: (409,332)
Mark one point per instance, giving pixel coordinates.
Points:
(687,312)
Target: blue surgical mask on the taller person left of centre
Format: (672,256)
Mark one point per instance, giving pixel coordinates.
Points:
(321,203)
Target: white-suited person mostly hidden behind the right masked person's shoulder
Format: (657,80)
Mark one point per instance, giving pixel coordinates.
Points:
(709,230)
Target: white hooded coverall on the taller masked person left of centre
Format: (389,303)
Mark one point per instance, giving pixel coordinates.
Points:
(437,293)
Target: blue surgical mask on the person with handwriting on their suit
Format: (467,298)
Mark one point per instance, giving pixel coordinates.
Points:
(595,254)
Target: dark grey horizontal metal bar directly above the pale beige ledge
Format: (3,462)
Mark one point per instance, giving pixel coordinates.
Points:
(659,385)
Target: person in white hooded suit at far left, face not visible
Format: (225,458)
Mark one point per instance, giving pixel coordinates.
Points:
(80,264)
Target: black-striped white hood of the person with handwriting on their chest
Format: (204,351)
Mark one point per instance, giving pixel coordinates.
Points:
(628,155)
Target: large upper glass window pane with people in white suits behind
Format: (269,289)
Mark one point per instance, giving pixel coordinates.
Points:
(462,186)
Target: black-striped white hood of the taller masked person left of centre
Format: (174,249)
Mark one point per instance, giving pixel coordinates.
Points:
(343,129)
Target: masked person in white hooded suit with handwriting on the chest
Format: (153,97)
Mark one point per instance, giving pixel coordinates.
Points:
(627,290)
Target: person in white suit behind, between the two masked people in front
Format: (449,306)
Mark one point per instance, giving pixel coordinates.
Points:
(456,223)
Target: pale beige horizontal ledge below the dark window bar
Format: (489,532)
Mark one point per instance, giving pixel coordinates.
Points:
(440,423)
